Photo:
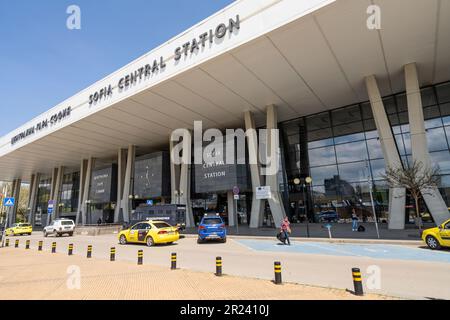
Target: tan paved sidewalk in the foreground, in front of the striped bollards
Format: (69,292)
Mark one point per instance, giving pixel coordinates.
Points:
(29,274)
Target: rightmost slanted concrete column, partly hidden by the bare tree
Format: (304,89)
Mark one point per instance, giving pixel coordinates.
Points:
(419,145)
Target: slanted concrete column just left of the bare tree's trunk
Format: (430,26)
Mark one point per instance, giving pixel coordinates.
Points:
(390,152)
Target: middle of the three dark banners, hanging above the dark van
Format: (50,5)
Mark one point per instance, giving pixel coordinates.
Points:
(152,175)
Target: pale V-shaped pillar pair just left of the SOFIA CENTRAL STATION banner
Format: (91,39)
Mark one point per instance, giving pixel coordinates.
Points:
(181,177)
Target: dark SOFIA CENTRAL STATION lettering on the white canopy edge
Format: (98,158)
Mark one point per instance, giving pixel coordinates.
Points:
(159,64)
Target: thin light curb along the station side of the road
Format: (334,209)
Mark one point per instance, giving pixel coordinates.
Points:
(334,240)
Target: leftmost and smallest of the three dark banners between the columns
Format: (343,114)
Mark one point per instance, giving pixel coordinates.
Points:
(104,185)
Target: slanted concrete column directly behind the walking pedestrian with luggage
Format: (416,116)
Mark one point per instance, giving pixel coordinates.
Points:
(273,141)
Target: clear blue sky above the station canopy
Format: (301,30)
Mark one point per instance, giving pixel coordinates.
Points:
(43,63)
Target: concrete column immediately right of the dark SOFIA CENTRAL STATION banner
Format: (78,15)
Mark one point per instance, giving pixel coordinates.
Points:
(257,209)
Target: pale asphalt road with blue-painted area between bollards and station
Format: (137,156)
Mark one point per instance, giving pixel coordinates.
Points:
(405,271)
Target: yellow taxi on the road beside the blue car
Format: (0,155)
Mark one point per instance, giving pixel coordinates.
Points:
(150,232)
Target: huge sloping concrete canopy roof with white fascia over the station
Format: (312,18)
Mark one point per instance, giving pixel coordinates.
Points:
(305,56)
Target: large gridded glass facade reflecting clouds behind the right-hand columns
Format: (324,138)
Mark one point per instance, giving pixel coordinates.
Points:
(341,151)
